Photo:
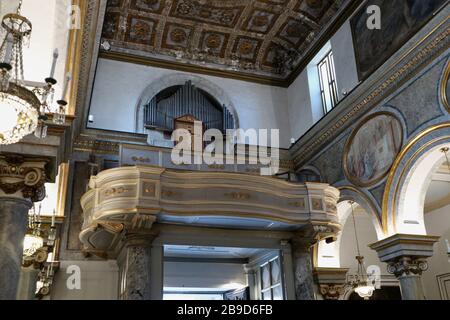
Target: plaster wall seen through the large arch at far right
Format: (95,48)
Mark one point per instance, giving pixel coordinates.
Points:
(437,223)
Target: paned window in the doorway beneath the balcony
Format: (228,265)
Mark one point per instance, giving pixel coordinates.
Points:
(271,286)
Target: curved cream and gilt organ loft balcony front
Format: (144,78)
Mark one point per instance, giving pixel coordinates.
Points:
(139,196)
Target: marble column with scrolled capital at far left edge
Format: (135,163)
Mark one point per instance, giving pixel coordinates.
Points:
(21,183)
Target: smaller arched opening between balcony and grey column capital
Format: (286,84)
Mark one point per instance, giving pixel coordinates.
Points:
(341,254)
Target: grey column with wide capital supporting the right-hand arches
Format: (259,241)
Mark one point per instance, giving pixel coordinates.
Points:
(406,258)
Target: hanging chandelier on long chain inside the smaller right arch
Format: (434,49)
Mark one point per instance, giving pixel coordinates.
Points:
(360,282)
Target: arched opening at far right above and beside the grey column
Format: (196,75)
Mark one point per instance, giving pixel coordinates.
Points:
(425,208)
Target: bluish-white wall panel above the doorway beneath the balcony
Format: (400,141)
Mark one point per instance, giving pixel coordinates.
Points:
(202,275)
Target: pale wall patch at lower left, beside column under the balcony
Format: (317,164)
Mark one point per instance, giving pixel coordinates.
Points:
(99,281)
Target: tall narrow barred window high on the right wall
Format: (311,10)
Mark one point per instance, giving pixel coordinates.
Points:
(327,78)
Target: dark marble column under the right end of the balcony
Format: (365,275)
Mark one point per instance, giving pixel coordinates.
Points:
(303,273)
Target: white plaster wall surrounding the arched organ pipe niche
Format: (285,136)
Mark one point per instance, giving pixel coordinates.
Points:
(119,85)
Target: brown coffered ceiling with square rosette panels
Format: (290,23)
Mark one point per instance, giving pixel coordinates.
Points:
(258,38)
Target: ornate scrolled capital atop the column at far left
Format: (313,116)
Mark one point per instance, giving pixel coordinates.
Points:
(22,177)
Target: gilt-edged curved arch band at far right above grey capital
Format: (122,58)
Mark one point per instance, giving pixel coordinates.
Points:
(409,178)
